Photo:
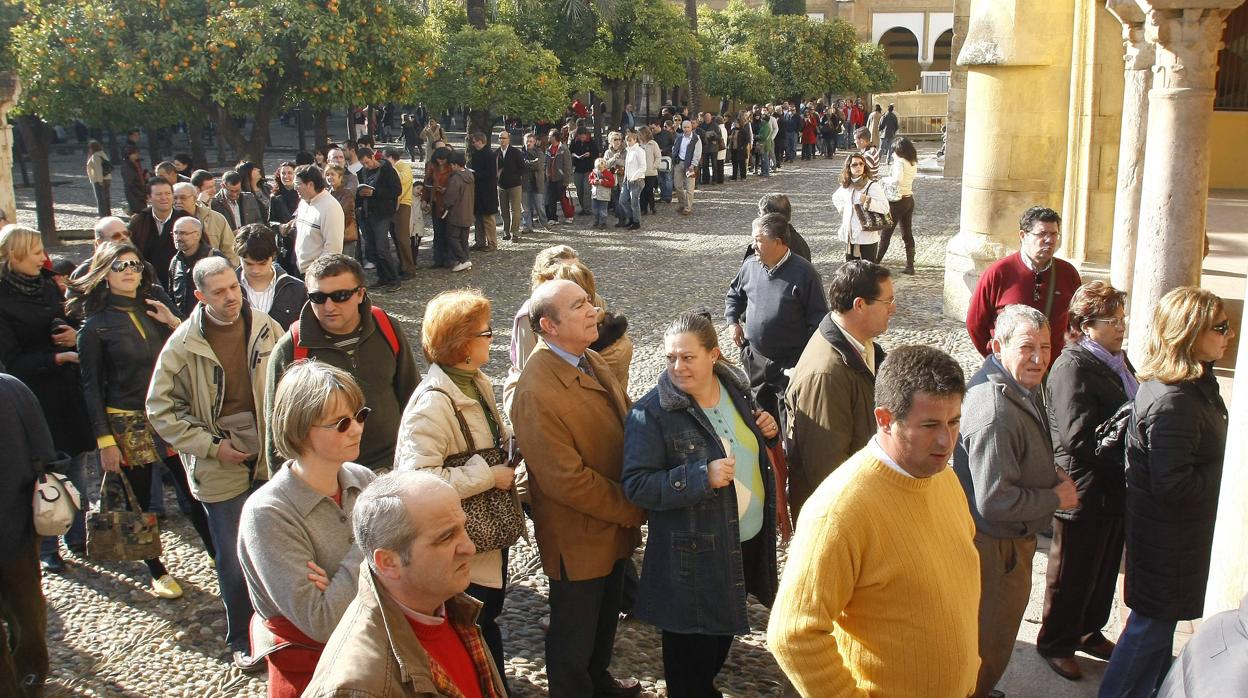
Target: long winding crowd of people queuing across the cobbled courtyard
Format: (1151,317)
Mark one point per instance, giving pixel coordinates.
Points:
(360,514)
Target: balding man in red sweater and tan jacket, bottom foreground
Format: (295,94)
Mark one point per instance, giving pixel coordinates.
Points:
(411,629)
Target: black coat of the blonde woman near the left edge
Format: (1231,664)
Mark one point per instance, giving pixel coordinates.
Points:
(28,353)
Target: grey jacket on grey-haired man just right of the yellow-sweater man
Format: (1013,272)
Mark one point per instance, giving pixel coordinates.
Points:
(1005,456)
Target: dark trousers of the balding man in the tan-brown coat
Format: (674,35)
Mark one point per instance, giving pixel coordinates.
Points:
(582,636)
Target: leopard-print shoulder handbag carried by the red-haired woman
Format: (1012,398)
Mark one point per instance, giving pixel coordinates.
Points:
(495,516)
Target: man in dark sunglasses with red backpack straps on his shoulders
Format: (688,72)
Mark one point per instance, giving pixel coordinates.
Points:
(341,327)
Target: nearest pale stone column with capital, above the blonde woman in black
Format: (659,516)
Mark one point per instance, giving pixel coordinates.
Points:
(1172,202)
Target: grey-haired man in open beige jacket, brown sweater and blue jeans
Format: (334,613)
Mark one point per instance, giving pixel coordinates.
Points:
(204,401)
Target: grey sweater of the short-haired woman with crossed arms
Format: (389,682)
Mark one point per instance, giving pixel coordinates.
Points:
(285,525)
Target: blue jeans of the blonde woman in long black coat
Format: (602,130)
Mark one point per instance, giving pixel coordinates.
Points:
(1141,660)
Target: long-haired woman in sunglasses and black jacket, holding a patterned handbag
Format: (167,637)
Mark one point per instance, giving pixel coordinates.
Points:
(128,323)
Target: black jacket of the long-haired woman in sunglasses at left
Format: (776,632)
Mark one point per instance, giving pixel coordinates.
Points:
(117,361)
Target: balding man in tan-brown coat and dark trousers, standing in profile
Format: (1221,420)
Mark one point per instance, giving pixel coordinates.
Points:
(570,424)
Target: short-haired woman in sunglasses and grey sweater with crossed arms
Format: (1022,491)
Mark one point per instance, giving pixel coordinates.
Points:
(295,541)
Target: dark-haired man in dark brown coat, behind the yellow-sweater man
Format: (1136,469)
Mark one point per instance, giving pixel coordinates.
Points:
(832,393)
